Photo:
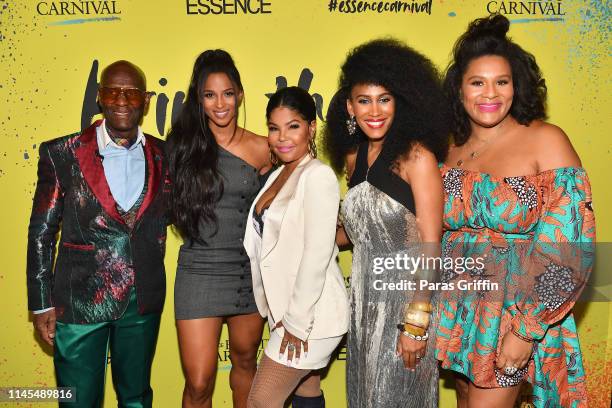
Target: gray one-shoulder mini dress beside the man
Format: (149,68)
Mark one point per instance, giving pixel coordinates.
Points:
(215,279)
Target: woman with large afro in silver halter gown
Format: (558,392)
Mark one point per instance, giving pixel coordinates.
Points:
(387,128)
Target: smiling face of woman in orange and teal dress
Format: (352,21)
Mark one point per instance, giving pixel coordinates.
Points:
(487,90)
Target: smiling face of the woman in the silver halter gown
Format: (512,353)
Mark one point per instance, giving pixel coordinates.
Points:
(373,107)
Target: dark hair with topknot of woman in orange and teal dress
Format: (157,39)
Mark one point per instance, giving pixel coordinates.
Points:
(487,36)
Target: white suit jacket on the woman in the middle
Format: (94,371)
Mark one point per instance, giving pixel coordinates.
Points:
(296,278)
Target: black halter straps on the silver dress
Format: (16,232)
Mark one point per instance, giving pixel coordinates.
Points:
(381,177)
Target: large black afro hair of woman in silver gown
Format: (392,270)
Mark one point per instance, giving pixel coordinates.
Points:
(421,114)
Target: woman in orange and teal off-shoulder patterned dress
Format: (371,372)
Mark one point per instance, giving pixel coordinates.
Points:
(515,195)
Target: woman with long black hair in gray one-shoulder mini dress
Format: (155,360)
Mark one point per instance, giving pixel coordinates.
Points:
(216,168)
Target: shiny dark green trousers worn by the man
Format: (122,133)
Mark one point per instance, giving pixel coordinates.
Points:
(81,353)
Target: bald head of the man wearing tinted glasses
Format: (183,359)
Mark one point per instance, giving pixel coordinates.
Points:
(123,99)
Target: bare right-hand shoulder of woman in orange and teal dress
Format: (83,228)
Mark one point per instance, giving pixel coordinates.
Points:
(553,148)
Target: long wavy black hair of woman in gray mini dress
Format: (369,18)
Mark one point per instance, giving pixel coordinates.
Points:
(193,151)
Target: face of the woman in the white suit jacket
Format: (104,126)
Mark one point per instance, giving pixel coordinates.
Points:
(289,134)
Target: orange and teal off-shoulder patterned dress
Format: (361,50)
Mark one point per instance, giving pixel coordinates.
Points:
(531,241)
